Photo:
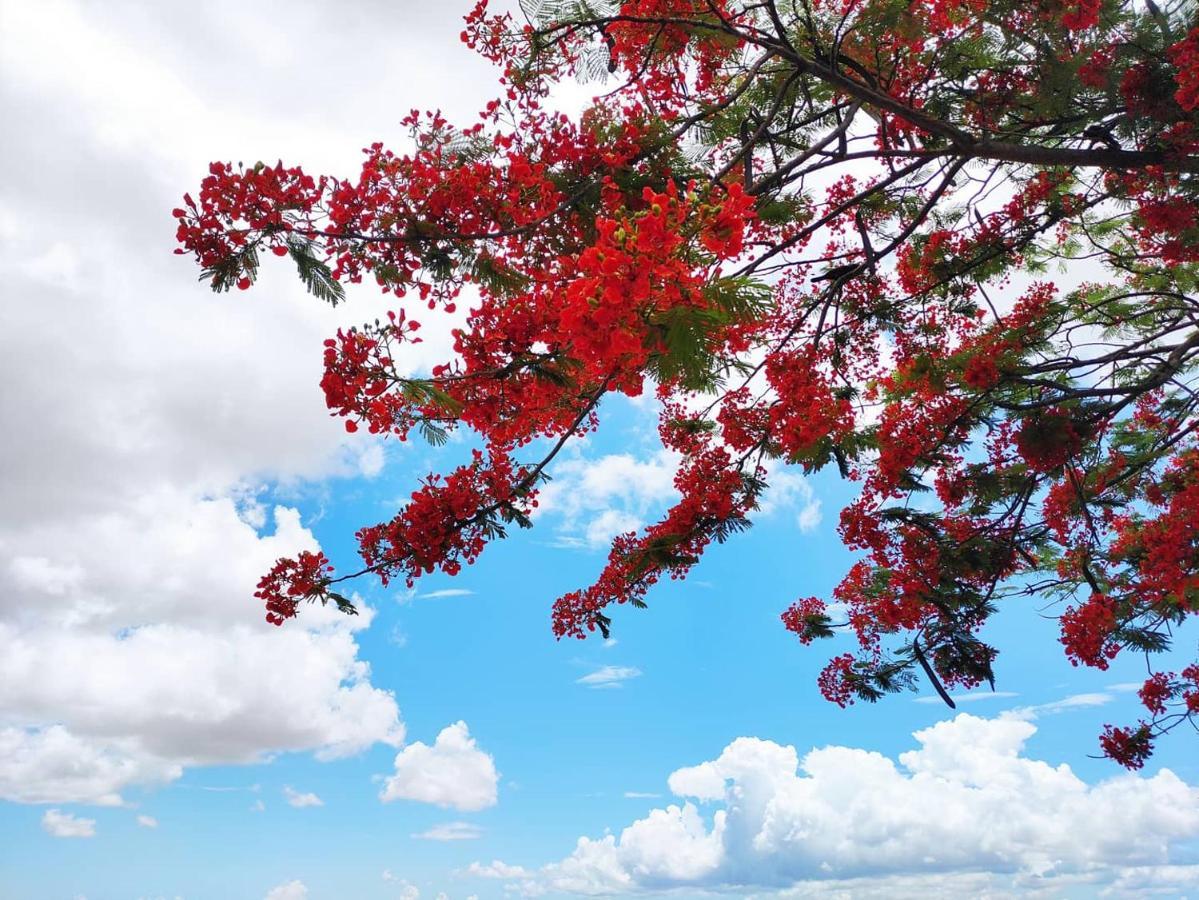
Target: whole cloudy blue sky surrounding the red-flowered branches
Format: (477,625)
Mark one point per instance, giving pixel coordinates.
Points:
(164,445)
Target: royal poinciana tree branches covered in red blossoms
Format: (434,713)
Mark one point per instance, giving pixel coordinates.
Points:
(949,247)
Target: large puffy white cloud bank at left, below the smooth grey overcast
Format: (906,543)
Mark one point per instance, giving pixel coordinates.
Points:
(182,668)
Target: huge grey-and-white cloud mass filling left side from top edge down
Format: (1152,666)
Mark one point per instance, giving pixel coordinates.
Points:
(152,412)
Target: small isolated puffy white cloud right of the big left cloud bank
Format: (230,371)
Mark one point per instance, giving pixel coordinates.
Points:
(454,772)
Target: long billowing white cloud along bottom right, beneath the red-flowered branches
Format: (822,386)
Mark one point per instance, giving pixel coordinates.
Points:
(966,801)
